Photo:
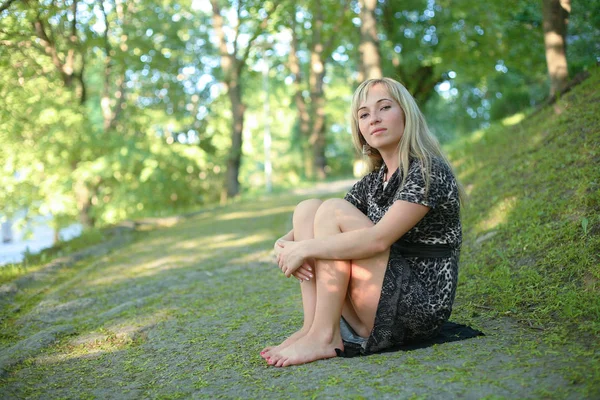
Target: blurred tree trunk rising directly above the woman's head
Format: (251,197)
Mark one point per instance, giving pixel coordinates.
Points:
(369,41)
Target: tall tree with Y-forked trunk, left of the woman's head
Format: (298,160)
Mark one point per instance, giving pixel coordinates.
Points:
(234,56)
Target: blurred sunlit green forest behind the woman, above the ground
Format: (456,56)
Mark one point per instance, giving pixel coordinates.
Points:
(115,110)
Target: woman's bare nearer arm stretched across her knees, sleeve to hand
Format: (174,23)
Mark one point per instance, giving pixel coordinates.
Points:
(358,244)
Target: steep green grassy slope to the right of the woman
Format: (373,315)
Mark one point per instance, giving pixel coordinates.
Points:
(532,186)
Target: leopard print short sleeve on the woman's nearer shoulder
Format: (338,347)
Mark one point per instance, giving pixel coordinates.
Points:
(413,190)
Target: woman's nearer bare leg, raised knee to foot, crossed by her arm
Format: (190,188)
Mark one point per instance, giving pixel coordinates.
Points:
(352,286)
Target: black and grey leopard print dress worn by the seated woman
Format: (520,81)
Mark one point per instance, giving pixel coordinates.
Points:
(417,292)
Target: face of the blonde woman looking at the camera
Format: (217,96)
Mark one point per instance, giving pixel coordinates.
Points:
(381,120)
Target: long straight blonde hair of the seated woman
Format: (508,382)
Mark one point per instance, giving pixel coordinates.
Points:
(417,141)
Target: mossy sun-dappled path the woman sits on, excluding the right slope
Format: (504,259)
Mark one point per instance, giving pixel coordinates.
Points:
(183,311)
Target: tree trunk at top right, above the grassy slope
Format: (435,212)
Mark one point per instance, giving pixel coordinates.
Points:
(556,17)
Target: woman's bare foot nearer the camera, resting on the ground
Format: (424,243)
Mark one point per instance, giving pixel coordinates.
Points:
(308,348)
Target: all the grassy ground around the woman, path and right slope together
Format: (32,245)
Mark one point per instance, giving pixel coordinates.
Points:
(182,311)
